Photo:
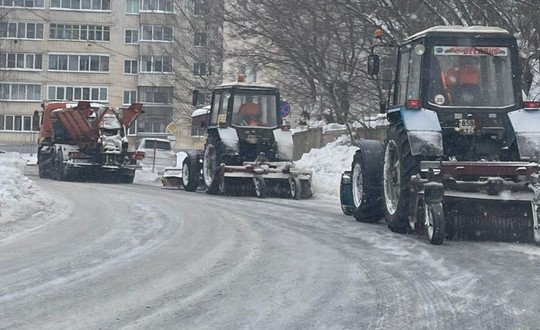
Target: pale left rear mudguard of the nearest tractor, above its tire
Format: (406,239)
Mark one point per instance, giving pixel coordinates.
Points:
(424,131)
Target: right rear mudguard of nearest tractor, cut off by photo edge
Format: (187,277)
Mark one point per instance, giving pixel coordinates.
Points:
(526,125)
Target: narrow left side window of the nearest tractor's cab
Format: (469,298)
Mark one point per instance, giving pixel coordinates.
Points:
(408,86)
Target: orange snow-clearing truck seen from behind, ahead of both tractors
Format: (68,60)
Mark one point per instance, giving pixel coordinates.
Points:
(83,140)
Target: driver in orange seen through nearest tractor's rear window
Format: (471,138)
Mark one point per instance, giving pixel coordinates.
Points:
(460,82)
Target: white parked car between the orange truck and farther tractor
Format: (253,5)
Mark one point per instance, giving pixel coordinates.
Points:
(159,154)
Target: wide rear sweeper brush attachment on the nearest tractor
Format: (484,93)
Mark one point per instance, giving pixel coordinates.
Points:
(485,201)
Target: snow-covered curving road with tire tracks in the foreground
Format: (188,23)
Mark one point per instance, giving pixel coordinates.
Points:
(163,259)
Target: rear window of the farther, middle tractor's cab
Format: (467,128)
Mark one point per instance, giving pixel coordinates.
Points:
(255,110)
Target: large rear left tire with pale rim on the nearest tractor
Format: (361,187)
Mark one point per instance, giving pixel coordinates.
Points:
(399,166)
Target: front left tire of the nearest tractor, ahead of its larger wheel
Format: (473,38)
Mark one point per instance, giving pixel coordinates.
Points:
(366,182)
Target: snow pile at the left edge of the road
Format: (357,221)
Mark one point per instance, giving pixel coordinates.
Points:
(20,197)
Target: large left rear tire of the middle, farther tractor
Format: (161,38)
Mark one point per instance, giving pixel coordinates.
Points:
(212,158)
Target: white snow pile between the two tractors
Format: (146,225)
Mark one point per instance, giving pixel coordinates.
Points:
(327,164)
